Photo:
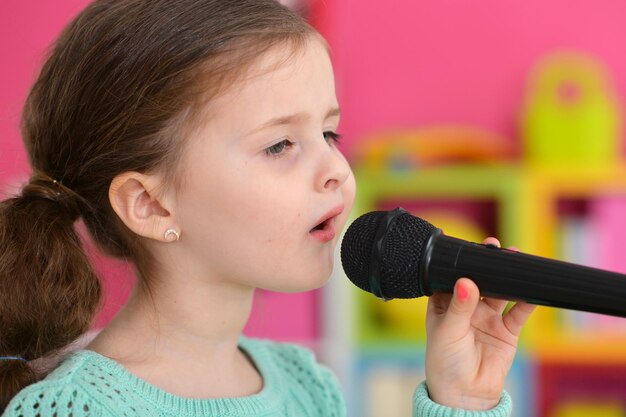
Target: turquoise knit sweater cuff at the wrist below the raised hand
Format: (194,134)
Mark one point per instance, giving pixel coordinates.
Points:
(423,406)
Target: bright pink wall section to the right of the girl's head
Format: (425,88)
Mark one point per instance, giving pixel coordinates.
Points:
(408,63)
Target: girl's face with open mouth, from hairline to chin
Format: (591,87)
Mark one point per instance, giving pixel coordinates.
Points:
(266,192)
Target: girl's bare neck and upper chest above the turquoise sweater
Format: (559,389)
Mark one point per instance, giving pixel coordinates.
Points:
(188,324)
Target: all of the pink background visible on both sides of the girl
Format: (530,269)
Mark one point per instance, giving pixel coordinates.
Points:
(400,63)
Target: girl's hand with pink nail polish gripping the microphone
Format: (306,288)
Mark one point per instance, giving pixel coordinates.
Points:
(470,345)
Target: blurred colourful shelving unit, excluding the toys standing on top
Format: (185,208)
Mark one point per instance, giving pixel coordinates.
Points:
(567,361)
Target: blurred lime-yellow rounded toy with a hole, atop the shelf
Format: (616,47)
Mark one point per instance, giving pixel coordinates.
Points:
(571,115)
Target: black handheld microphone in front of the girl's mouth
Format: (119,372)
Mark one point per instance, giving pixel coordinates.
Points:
(394,254)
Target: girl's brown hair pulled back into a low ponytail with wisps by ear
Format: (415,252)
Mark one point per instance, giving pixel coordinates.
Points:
(115,95)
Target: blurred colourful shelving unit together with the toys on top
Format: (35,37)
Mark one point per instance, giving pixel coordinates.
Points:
(563,197)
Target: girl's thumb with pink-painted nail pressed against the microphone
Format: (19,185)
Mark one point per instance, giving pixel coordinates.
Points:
(462,306)
